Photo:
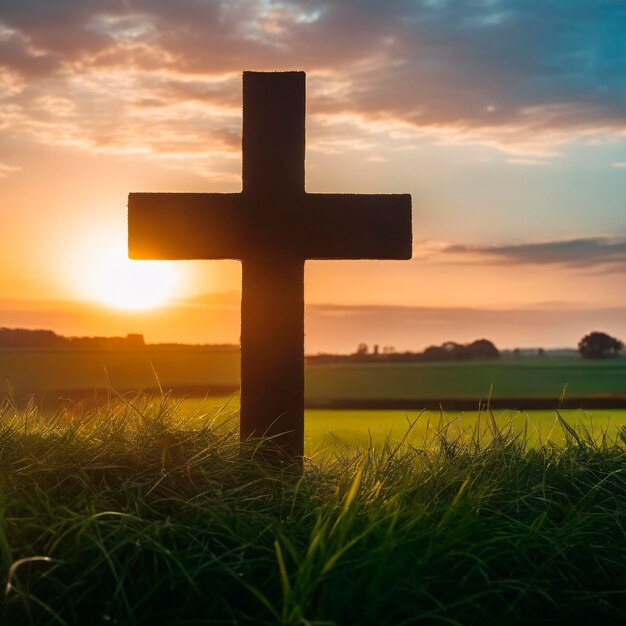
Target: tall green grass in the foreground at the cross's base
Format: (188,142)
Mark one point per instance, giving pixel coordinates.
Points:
(129,515)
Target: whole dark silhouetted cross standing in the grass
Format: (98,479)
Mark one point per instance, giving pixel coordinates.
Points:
(273,226)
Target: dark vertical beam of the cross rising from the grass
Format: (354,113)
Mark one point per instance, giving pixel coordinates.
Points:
(272,303)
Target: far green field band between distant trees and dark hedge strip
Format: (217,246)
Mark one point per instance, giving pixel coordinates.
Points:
(211,369)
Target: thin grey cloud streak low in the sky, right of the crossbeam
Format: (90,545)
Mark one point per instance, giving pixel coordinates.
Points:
(608,253)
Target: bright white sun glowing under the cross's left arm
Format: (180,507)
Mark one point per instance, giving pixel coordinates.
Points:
(122,283)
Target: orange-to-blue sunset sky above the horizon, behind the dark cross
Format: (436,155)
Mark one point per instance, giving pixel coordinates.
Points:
(505,120)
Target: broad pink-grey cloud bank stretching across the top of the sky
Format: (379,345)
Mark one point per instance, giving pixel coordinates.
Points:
(160,78)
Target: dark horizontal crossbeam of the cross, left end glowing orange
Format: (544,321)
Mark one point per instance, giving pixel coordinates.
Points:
(223,226)
